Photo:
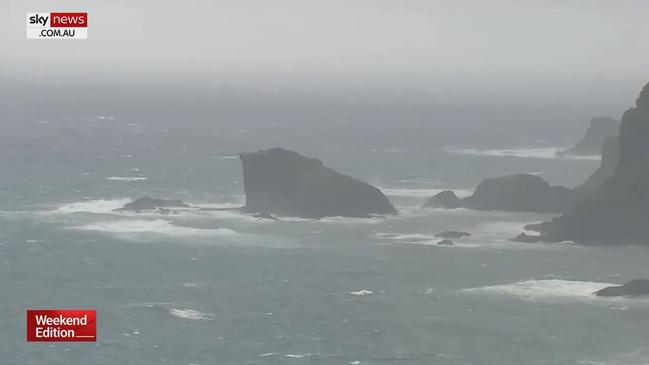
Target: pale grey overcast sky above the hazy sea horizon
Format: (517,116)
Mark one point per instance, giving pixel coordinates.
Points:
(354,38)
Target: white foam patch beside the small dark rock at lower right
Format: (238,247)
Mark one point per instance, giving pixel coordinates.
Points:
(544,289)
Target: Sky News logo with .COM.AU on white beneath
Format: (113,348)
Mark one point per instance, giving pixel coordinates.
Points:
(49,25)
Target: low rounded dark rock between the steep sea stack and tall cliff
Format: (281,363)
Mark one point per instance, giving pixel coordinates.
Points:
(513,193)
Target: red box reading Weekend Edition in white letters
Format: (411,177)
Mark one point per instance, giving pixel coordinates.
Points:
(61,325)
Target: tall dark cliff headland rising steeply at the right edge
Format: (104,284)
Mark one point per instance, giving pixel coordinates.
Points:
(617,212)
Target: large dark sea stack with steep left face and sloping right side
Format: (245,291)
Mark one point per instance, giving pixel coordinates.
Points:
(285,183)
